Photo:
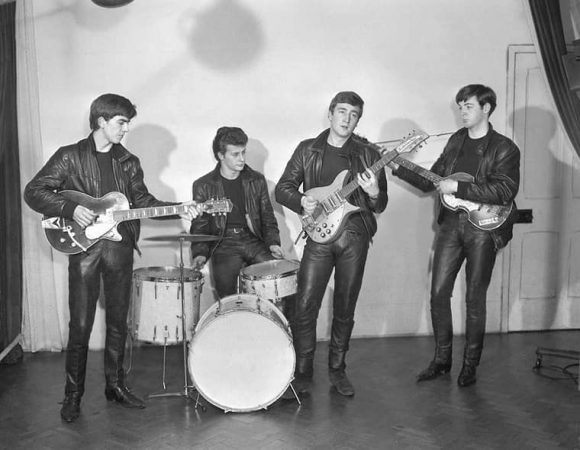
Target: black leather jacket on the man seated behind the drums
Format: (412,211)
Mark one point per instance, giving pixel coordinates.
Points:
(259,212)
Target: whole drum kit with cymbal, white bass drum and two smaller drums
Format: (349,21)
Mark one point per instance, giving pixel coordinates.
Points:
(239,354)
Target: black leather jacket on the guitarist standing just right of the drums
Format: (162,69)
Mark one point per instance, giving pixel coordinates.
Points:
(305,167)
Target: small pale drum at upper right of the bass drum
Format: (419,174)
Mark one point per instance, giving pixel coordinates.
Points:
(271,280)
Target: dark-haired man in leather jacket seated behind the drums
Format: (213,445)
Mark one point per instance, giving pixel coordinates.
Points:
(249,233)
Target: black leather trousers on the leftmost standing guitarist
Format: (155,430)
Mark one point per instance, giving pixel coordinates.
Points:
(113,262)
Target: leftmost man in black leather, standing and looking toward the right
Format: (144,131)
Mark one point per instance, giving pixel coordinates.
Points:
(97,165)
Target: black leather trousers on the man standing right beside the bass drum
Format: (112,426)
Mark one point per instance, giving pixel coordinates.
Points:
(347,256)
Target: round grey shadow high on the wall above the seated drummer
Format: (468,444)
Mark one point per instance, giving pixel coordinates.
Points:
(227,36)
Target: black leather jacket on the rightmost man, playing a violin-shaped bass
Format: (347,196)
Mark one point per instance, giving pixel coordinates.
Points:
(496,182)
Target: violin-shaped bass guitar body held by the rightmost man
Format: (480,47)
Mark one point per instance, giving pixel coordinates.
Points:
(483,216)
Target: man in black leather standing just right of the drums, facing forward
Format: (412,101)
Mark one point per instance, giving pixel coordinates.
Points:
(317,163)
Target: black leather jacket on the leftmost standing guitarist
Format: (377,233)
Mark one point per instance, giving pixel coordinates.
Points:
(75,167)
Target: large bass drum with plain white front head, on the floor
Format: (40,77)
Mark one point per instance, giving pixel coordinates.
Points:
(241,358)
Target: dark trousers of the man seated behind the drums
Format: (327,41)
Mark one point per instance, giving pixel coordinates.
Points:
(235,252)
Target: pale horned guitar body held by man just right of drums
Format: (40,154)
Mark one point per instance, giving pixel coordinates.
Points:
(324,225)
